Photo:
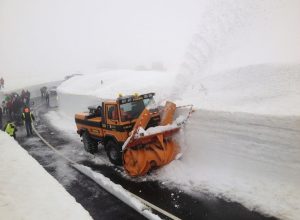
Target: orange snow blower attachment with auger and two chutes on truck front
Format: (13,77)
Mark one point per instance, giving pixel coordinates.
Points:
(143,151)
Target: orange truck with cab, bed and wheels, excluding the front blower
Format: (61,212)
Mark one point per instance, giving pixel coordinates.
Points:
(111,122)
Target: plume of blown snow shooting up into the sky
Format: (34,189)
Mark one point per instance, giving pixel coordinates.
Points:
(221,20)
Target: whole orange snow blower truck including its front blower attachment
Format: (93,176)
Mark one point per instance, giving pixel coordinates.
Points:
(133,134)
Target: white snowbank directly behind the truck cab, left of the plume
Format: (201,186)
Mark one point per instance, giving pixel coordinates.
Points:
(79,92)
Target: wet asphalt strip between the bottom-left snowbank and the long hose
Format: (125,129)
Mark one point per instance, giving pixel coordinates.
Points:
(99,203)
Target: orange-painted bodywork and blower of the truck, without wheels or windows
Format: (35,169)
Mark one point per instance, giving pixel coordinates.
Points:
(143,153)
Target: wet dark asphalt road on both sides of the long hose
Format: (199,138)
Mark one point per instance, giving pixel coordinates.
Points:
(102,205)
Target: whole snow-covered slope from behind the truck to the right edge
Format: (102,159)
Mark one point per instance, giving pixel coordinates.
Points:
(259,89)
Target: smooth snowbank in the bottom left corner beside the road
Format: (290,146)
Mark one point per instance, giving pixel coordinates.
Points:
(28,192)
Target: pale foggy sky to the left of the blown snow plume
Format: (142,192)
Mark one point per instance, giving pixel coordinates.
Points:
(54,36)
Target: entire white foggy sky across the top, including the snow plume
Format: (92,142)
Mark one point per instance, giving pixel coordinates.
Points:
(46,40)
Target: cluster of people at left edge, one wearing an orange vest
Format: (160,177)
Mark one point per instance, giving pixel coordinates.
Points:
(16,108)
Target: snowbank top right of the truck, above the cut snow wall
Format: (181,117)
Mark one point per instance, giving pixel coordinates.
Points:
(259,89)
